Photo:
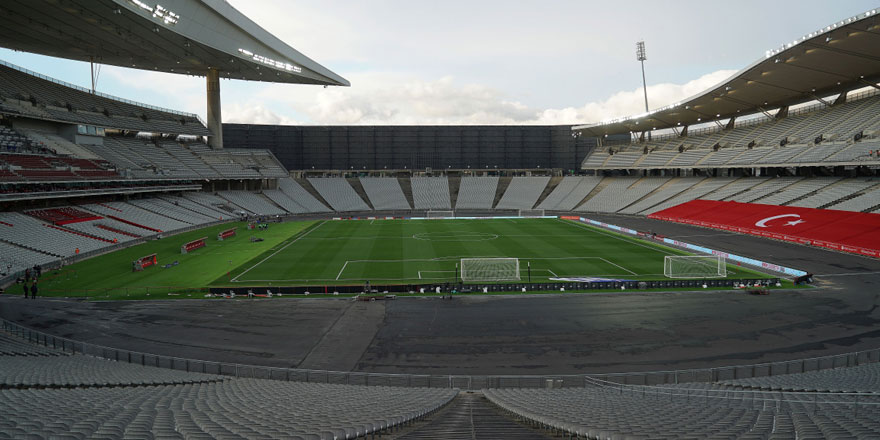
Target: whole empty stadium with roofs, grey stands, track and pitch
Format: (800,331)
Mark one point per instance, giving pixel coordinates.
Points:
(708,269)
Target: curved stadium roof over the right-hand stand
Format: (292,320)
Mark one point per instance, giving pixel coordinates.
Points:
(839,57)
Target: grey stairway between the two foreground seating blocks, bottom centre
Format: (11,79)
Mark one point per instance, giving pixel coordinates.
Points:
(471,416)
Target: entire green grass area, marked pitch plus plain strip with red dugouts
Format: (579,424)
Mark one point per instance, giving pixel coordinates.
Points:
(351,252)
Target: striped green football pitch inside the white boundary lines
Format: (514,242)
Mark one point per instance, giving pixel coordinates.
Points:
(429,251)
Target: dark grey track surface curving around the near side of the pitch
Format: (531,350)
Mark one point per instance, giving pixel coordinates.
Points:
(574,333)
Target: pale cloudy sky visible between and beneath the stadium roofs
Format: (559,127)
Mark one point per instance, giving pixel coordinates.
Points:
(480,61)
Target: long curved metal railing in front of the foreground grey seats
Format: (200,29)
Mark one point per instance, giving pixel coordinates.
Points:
(475,382)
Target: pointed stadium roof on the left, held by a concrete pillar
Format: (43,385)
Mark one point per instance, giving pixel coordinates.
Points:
(176,36)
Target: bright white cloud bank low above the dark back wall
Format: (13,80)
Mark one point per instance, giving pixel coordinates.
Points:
(394,99)
